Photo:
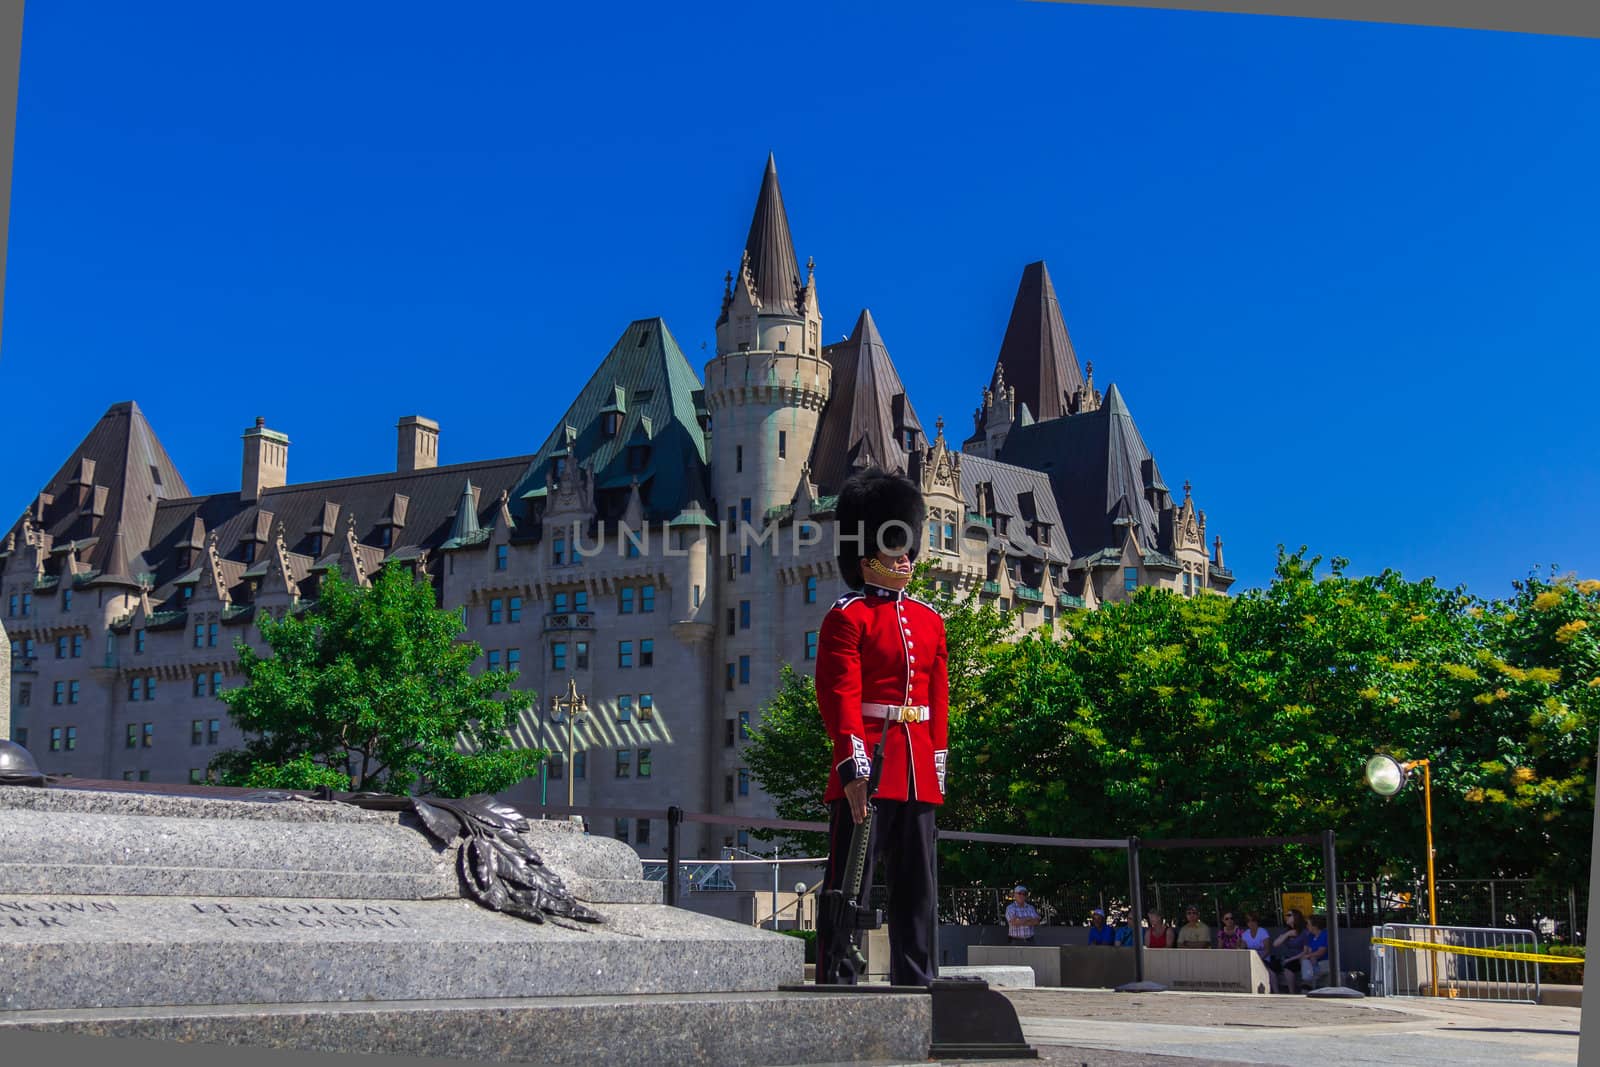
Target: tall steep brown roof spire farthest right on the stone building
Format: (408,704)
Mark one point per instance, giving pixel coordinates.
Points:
(1038,354)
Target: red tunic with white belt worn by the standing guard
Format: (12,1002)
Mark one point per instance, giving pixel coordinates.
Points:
(884,647)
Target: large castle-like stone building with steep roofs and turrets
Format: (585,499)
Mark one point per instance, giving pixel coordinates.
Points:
(668,545)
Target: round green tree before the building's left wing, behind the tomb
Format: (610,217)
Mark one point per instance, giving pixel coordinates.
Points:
(370,689)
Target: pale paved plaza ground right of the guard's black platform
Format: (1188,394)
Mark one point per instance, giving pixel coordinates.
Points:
(1106,1029)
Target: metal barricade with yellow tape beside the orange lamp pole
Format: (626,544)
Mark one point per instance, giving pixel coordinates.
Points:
(1455,962)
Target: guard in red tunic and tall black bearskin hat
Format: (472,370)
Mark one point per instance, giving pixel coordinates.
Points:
(881,674)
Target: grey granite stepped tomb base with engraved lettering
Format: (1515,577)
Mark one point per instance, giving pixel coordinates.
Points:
(326,927)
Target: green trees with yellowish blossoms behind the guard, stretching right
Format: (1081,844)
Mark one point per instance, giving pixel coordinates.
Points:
(1170,716)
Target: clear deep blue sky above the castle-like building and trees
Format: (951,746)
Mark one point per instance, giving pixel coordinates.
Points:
(1343,274)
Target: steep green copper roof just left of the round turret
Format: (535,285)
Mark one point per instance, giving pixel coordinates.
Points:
(649,378)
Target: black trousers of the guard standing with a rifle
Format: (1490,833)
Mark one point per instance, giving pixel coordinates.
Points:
(902,849)
